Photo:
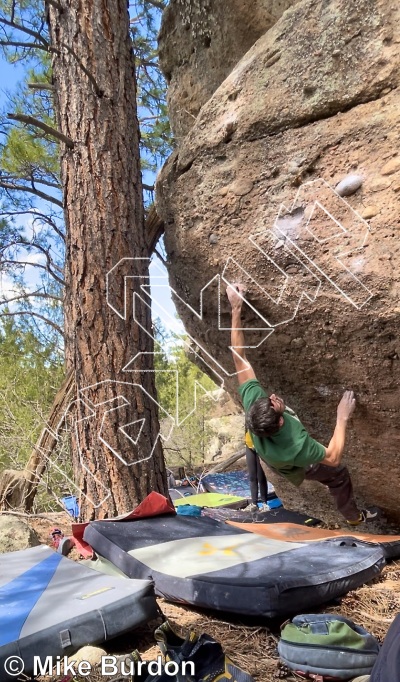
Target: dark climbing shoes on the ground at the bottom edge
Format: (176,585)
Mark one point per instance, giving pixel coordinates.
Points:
(204,657)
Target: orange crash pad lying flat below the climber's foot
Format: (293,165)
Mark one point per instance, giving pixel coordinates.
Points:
(291,532)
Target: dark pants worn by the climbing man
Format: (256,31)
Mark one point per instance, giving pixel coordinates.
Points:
(338,480)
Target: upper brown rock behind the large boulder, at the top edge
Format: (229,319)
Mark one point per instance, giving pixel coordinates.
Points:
(199,44)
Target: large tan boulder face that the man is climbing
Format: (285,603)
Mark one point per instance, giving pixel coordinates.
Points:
(313,100)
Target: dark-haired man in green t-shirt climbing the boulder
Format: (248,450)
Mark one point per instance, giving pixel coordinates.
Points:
(281,440)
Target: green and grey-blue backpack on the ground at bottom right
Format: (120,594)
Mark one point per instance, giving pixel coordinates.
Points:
(327,646)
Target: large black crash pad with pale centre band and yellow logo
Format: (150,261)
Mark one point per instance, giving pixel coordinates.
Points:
(204,562)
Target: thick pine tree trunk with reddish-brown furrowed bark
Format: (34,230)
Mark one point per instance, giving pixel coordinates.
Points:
(95,102)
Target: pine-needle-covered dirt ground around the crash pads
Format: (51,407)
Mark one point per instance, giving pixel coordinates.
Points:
(251,644)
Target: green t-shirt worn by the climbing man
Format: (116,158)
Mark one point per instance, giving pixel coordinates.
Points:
(291,449)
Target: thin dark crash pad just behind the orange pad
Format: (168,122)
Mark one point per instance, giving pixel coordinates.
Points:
(245,518)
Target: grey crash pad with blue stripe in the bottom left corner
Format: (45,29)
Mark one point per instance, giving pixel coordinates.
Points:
(51,606)
